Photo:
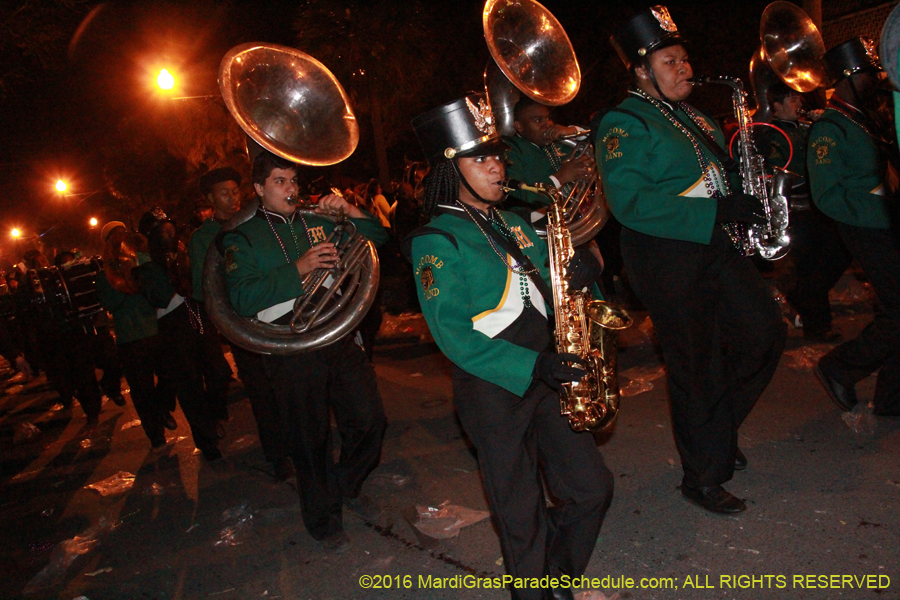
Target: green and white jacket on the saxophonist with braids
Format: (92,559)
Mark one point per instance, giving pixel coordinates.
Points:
(473,303)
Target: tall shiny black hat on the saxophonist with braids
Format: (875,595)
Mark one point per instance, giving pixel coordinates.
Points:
(462,128)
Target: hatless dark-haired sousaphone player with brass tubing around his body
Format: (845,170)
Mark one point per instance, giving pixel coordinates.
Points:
(266,259)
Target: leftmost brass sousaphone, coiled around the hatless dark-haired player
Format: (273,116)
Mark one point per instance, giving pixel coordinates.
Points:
(292,105)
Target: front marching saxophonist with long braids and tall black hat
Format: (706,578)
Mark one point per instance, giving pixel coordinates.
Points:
(483,304)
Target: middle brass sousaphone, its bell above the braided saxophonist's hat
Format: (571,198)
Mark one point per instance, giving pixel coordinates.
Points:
(533,55)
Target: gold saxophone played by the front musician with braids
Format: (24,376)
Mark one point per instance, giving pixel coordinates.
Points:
(585,327)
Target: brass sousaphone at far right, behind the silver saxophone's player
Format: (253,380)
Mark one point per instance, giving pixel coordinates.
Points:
(791,50)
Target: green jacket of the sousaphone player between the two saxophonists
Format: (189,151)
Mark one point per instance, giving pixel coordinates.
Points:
(529,163)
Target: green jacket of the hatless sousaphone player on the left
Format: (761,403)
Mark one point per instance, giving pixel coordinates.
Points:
(261,281)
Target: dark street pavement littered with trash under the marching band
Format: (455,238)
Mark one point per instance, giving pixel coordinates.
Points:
(822,499)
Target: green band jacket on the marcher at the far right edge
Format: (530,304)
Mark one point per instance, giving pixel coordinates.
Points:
(849,177)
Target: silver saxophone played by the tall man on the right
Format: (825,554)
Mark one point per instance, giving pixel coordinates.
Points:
(771,240)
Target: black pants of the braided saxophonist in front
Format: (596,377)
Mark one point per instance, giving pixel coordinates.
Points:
(518,439)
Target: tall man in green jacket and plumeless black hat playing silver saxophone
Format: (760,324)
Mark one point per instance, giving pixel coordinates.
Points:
(720,330)
